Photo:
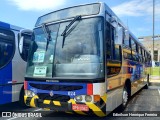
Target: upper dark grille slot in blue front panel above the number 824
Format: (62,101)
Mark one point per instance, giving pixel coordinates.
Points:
(55,87)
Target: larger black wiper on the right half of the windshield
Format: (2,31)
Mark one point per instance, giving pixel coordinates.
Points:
(64,34)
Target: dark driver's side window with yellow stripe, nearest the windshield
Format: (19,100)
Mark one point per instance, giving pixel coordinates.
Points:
(113,52)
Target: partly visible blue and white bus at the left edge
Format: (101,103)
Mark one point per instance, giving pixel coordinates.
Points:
(12,62)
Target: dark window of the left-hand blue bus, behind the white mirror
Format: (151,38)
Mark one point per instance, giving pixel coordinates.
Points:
(26,46)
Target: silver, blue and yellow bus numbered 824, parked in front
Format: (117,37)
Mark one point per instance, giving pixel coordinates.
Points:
(84,60)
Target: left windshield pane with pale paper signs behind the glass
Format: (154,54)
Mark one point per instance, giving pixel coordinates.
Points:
(41,58)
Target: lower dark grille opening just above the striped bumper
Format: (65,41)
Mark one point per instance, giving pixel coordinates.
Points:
(55,97)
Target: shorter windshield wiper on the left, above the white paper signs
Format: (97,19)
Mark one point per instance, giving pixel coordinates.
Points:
(47,33)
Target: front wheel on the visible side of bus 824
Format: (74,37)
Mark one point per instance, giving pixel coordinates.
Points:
(125,98)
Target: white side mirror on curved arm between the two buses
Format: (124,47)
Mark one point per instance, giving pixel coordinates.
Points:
(22,35)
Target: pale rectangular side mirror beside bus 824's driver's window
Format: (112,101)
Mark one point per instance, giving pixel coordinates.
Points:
(119,35)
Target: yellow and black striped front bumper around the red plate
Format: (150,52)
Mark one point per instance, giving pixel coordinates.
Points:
(93,108)
